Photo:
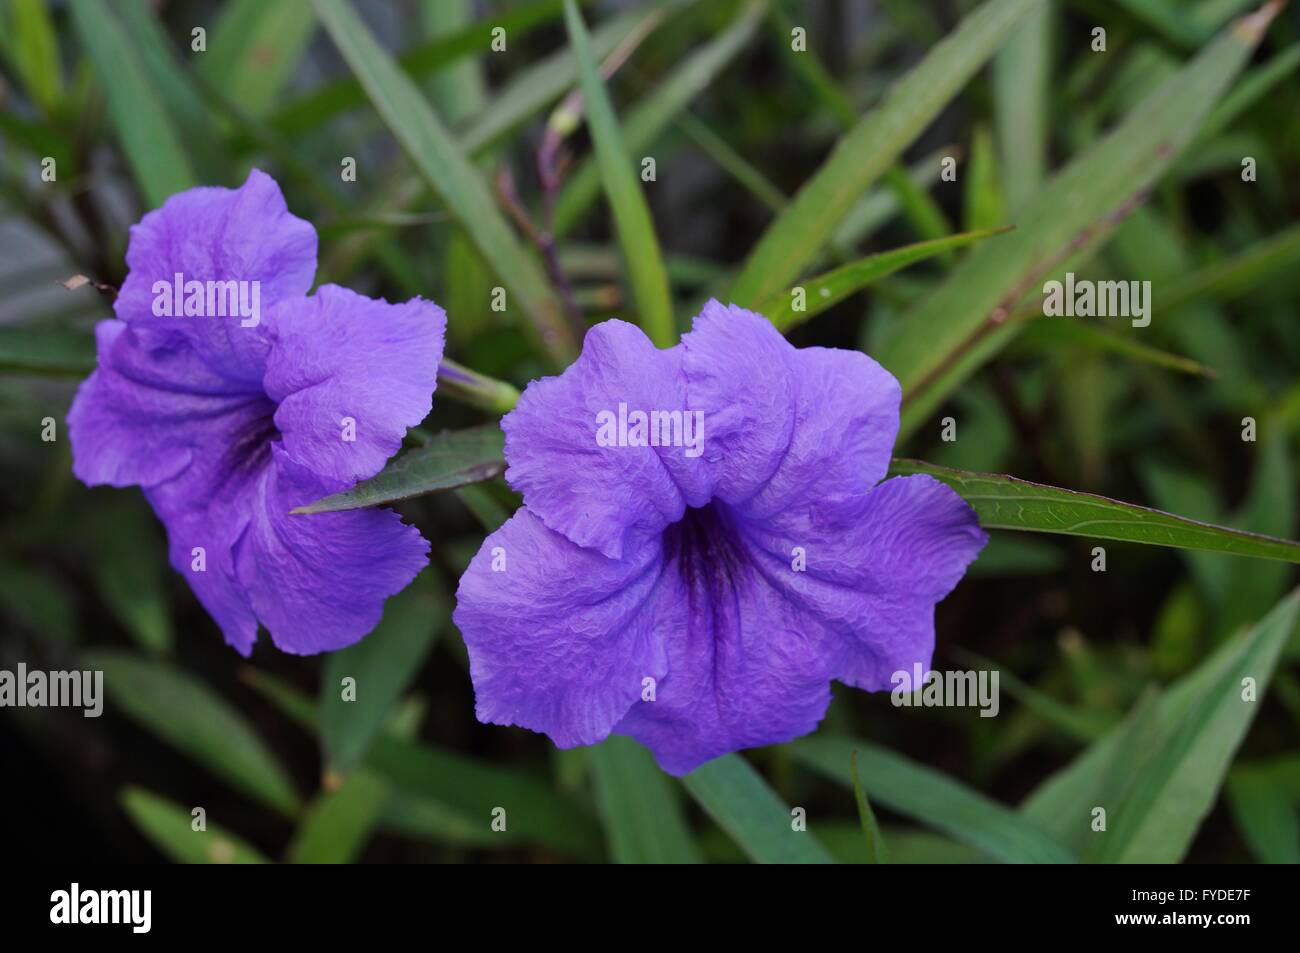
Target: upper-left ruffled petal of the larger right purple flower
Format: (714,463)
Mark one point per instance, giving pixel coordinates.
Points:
(599,496)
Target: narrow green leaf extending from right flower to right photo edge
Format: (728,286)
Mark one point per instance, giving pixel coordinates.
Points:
(1004,503)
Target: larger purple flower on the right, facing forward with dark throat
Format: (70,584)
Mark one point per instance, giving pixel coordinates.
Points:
(701,595)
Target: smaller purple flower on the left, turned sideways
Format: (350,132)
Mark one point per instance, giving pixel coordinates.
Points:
(232,396)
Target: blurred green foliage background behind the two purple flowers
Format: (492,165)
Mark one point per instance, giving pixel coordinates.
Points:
(738,125)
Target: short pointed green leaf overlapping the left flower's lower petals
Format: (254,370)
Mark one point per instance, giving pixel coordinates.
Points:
(453,458)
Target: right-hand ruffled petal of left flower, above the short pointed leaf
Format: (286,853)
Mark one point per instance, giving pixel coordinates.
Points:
(346,366)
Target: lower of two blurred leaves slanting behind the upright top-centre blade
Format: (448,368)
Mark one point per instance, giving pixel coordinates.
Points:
(658,110)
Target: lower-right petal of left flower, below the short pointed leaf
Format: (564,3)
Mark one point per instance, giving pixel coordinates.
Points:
(319,582)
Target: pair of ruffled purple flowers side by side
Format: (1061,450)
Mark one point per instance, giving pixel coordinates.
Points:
(705,542)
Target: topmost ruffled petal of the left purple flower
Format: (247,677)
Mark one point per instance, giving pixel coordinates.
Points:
(218,235)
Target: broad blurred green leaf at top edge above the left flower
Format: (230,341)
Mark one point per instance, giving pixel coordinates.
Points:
(254,50)
